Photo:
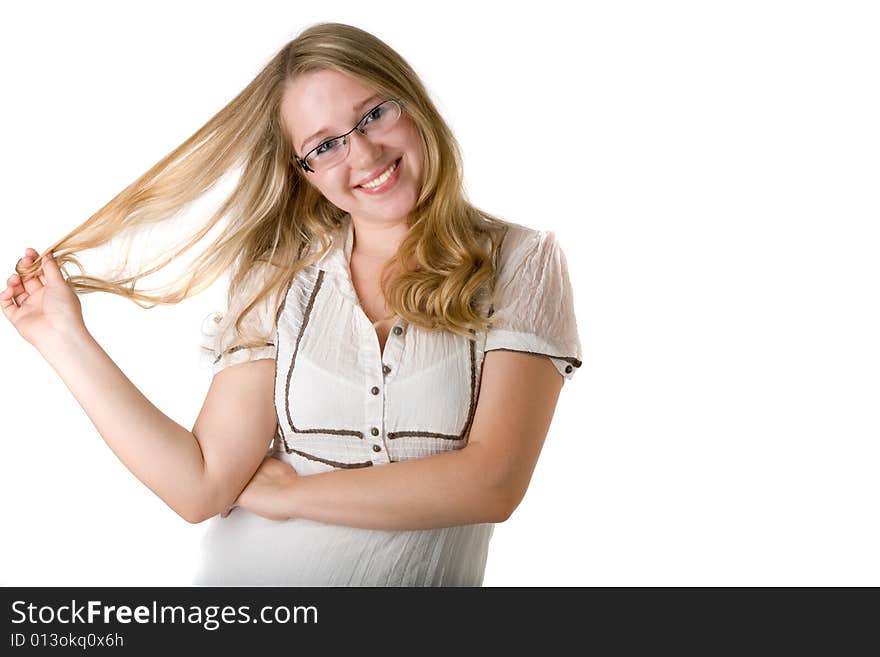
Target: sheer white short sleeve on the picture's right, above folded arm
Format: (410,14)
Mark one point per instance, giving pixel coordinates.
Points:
(533,302)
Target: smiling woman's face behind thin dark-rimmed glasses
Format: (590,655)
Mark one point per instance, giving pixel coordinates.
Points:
(330,104)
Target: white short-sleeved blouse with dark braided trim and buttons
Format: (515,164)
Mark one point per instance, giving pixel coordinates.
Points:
(341,402)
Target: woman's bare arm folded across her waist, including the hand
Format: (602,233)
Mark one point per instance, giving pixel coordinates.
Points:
(483,482)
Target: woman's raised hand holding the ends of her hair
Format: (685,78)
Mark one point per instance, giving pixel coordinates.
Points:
(44,307)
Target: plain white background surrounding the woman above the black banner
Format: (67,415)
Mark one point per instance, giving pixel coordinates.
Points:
(711,171)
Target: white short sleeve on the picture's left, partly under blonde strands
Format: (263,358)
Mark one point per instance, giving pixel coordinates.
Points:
(223,345)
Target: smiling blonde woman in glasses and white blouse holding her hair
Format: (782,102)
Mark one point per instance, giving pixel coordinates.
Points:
(390,358)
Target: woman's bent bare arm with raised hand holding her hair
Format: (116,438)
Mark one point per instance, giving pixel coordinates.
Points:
(190,470)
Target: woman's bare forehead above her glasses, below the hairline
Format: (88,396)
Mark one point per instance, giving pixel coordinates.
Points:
(321,101)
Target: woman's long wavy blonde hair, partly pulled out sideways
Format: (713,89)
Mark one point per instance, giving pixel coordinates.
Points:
(274,215)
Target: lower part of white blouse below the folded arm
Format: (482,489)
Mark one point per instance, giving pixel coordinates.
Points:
(246,549)
